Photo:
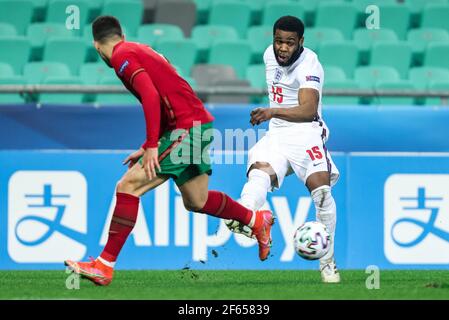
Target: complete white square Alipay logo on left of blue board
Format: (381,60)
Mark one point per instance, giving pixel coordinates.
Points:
(47,216)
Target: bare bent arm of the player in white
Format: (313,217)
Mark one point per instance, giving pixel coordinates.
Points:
(304,112)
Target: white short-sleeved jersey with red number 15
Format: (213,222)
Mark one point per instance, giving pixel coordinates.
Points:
(284,83)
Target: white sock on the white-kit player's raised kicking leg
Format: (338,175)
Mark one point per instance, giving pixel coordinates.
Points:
(254,192)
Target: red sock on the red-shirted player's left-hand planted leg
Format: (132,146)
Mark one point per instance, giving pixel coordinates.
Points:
(123,220)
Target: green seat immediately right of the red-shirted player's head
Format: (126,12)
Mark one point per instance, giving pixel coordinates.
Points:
(151,33)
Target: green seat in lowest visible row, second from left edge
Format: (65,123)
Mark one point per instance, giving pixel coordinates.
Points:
(37,72)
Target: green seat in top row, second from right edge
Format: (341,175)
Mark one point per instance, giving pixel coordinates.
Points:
(395,17)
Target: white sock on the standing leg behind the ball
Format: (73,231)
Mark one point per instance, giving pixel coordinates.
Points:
(326,213)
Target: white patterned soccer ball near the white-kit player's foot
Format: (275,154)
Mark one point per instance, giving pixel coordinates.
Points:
(311,240)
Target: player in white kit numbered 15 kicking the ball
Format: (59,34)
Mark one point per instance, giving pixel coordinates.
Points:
(295,141)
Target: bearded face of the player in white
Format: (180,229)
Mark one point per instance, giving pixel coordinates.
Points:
(286,43)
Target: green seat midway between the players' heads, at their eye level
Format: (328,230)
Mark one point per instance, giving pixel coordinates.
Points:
(205,36)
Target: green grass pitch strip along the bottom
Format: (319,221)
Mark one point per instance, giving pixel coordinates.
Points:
(224,285)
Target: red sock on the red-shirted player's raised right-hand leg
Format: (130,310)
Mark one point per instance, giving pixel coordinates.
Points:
(222,206)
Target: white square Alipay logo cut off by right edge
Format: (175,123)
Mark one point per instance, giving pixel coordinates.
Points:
(416,229)
